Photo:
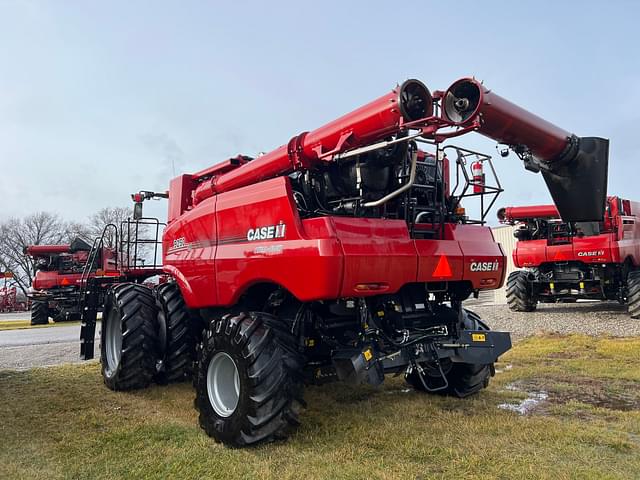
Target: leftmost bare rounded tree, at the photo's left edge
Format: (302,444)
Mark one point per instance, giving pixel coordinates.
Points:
(16,234)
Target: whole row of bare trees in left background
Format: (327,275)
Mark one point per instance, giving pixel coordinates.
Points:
(46,228)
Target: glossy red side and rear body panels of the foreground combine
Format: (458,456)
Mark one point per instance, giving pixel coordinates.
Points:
(207,250)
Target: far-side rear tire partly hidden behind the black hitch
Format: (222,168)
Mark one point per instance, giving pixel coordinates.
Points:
(464,379)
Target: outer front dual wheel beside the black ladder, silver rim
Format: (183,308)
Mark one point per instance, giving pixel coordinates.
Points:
(129,338)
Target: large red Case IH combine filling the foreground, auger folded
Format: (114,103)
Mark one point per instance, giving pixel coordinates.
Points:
(344,254)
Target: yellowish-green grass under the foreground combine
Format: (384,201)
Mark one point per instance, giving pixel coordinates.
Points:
(62,422)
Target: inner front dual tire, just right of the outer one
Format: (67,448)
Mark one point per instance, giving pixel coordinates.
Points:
(177,340)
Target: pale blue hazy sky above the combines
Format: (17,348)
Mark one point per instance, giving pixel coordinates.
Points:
(101,99)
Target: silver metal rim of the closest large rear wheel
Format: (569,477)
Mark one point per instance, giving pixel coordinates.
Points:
(223,384)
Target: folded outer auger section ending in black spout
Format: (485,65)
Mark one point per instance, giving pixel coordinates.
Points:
(574,168)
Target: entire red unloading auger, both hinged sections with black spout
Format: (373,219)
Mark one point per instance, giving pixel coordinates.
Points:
(574,168)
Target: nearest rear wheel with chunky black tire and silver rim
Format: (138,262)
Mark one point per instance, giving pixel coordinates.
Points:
(249,380)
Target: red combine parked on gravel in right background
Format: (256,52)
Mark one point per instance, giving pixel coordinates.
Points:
(566,261)
